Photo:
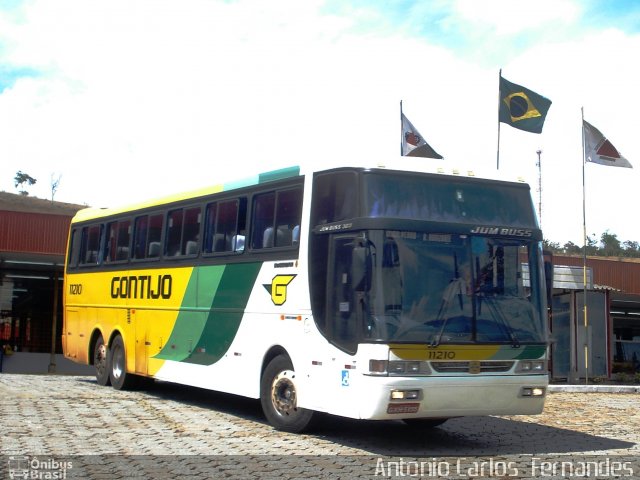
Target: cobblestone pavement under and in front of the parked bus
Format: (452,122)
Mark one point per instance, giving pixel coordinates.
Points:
(70,426)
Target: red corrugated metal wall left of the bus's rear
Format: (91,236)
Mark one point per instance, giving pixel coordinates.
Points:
(33,232)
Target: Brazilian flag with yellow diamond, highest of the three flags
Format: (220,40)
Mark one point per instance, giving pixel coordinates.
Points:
(521,108)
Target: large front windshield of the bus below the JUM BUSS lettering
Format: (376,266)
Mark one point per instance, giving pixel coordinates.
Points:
(446,288)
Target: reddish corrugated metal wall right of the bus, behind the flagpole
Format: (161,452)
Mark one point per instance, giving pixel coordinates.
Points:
(623,275)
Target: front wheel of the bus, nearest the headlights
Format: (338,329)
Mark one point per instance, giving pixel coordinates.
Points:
(279,395)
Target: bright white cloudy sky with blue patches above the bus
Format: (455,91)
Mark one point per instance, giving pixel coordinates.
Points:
(124,100)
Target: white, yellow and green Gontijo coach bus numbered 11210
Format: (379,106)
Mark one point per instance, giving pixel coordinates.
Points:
(367,293)
